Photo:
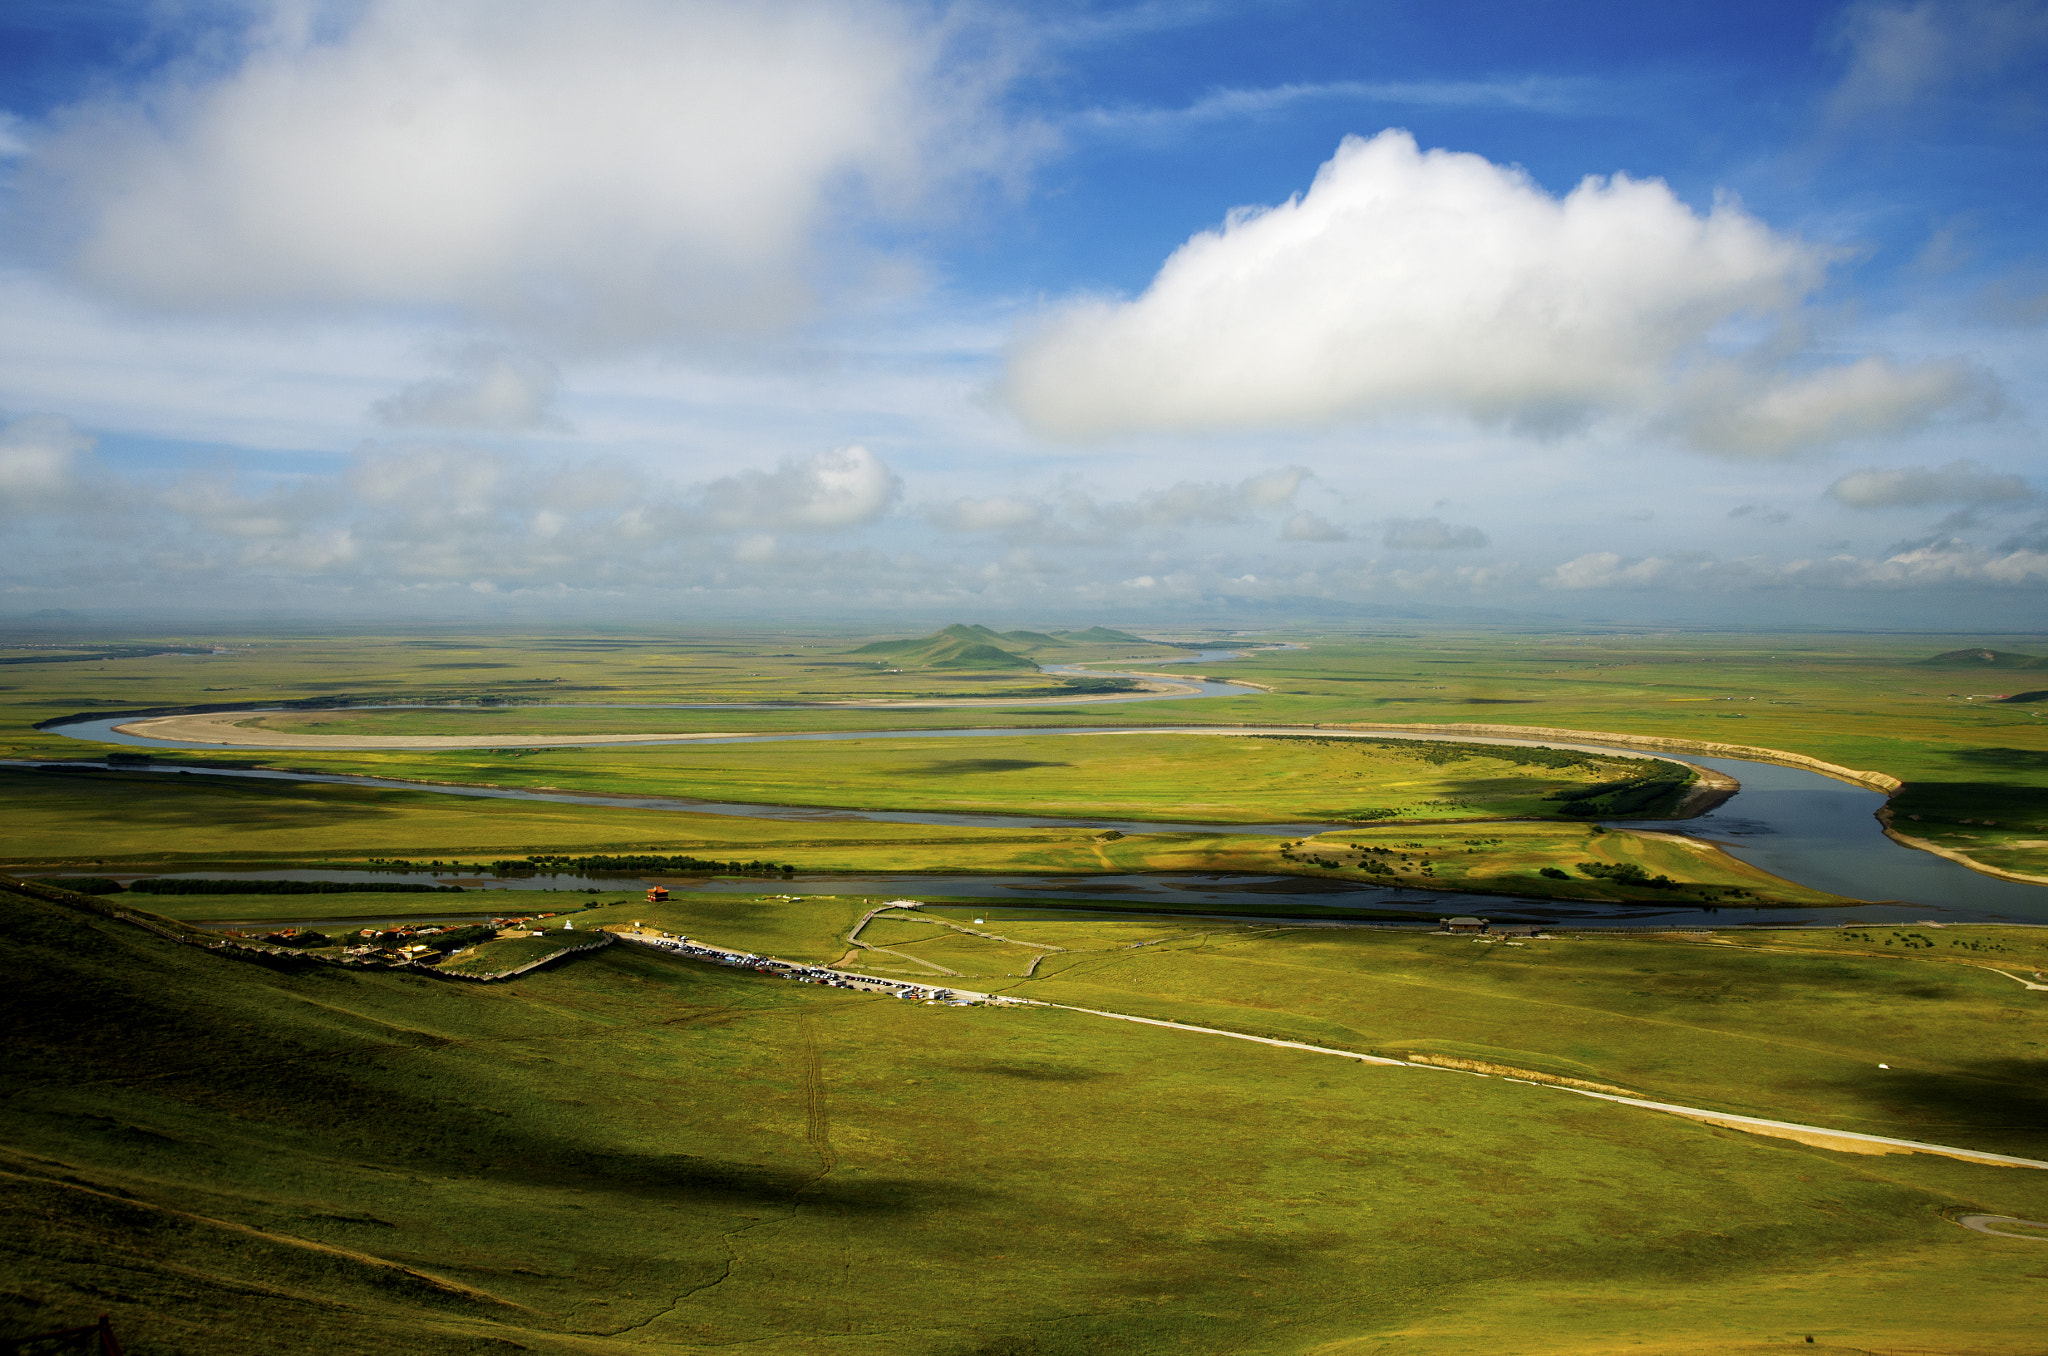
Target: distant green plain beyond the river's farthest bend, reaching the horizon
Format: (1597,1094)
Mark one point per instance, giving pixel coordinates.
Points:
(1975,769)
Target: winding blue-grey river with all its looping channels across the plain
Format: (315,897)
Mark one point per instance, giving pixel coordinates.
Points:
(1791,822)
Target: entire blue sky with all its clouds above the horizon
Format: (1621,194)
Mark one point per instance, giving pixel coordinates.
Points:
(1691,312)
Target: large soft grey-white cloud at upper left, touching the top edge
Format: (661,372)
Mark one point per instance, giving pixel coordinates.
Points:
(609,171)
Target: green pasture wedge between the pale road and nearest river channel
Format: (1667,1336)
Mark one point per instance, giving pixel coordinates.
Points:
(1684,1019)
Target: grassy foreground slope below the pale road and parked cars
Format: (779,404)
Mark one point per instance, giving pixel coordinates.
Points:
(634,1154)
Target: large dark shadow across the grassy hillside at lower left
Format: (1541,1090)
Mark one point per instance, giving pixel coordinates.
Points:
(114,1029)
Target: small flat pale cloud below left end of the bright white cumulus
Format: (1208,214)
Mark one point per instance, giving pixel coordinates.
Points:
(1076,517)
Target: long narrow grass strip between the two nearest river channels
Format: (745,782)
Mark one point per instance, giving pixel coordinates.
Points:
(151,820)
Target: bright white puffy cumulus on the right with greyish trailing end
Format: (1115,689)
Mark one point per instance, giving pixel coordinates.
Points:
(1412,282)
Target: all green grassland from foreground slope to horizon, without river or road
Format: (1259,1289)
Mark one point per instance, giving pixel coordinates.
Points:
(630,1152)
